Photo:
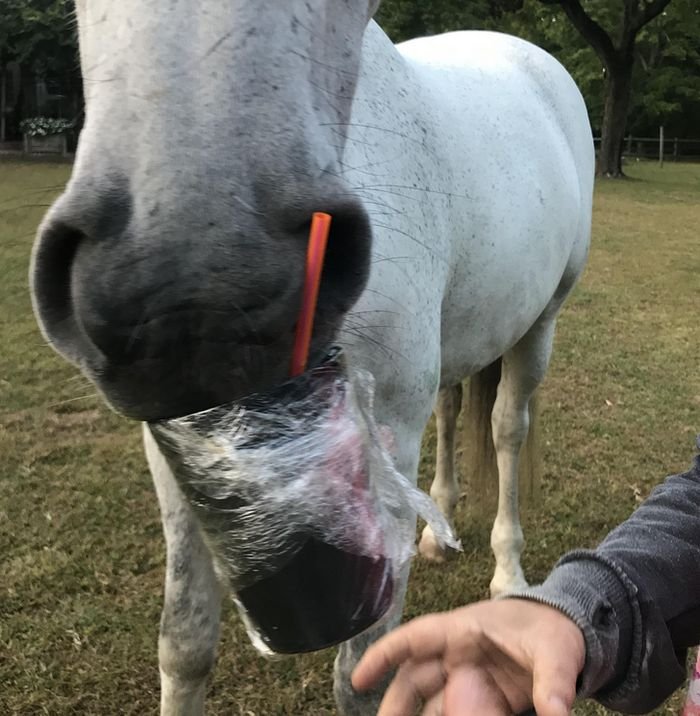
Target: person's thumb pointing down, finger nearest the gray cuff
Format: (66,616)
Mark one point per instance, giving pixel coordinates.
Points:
(554,683)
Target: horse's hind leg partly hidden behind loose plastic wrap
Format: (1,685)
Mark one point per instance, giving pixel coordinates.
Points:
(445,489)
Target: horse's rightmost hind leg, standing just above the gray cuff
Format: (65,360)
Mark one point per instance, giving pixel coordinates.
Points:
(523,368)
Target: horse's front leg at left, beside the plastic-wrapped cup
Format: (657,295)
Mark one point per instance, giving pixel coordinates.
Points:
(189,628)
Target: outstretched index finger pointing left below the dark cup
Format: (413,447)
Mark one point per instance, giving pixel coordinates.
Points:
(420,640)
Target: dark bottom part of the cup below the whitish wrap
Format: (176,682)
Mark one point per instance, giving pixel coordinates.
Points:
(321,597)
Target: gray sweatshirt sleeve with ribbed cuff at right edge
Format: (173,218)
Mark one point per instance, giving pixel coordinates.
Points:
(636,598)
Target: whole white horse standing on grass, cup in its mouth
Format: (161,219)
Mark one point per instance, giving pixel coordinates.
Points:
(459,172)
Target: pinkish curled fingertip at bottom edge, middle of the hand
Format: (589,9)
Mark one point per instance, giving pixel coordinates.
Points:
(473,692)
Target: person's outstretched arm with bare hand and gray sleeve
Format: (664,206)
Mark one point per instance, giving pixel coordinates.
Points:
(636,600)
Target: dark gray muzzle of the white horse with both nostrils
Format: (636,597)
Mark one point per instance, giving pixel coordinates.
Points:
(177,317)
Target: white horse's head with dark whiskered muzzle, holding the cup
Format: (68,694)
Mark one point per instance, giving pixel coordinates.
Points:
(170,270)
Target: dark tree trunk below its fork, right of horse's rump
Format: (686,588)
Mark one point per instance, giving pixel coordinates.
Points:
(618,91)
